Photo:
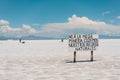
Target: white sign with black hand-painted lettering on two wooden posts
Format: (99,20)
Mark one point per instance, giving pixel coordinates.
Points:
(83,42)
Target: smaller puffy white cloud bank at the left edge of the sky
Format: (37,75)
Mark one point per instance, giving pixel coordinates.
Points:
(6,30)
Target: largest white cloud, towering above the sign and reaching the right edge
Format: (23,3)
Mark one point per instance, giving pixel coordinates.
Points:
(83,25)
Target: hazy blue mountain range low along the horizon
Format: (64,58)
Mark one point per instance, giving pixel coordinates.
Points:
(31,37)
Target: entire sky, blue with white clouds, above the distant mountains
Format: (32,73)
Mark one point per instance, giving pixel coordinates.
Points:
(59,18)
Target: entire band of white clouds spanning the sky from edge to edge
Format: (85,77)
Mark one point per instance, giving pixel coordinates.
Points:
(75,24)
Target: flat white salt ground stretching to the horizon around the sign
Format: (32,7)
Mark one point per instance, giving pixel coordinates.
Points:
(51,60)
